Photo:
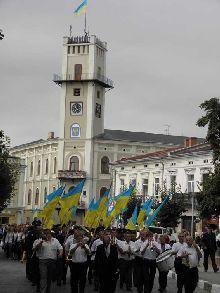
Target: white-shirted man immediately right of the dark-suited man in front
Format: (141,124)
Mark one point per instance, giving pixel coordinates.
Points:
(126,256)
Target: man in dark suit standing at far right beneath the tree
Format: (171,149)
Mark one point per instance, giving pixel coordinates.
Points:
(209,246)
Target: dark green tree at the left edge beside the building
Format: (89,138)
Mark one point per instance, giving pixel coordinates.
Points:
(8,171)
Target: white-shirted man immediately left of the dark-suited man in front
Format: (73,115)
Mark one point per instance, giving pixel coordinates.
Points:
(79,265)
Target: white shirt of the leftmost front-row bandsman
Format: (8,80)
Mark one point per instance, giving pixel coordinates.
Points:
(49,249)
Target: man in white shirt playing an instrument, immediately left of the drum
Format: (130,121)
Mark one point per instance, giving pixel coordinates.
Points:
(149,251)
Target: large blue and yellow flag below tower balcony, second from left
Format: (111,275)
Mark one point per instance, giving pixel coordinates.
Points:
(69,201)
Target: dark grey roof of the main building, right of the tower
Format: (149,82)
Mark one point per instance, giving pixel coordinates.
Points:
(144,137)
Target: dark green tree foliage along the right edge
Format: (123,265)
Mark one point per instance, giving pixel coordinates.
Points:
(209,198)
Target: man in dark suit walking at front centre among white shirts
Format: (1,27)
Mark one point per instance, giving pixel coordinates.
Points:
(106,261)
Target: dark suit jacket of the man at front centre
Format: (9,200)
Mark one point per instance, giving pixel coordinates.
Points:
(106,266)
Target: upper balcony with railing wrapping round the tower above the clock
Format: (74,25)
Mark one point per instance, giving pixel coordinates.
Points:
(84,77)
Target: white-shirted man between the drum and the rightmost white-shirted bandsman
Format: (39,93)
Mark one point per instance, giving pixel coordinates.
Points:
(179,268)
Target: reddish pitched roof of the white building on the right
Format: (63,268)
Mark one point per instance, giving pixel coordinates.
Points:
(171,152)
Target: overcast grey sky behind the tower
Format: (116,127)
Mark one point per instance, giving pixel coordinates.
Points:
(164,58)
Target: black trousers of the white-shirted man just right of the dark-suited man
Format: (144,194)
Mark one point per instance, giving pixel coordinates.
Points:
(125,269)
